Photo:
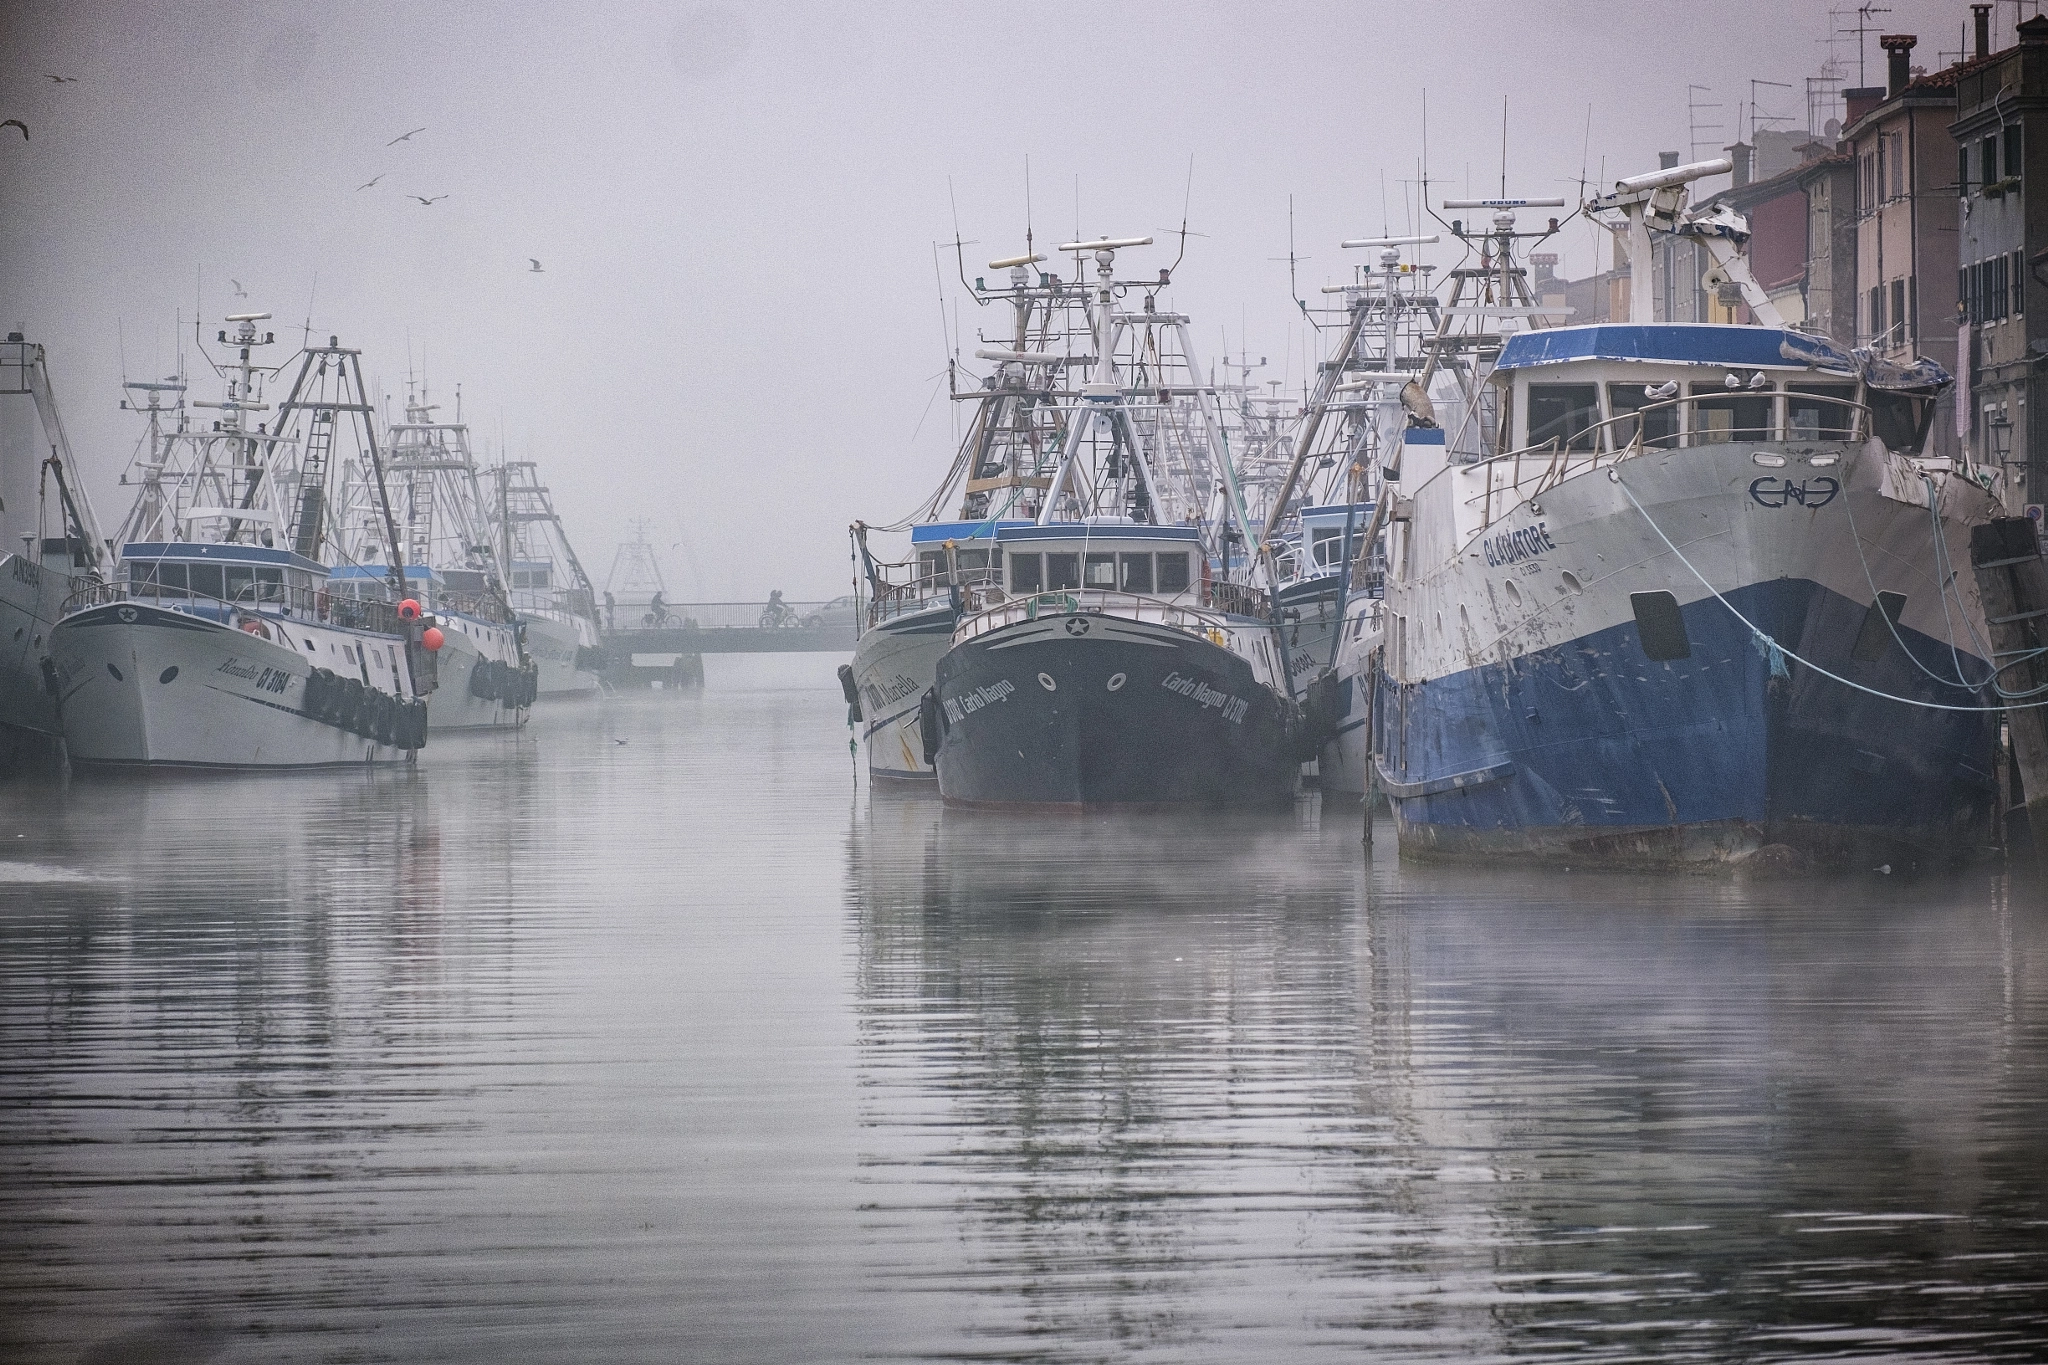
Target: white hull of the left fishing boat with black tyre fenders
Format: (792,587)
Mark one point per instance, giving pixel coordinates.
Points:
(146,687)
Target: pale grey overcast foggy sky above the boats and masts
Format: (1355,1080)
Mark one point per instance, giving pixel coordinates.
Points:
(738,331)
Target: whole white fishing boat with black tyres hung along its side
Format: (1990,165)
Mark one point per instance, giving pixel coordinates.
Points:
(218,644)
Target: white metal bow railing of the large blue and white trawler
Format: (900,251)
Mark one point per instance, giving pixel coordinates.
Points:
(1537,470)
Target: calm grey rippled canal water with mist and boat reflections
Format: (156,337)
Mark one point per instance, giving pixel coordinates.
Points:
(646,1037)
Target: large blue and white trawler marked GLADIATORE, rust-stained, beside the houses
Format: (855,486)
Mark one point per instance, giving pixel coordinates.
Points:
(1701,599)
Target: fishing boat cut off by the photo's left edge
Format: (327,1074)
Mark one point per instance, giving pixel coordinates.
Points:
(44,509)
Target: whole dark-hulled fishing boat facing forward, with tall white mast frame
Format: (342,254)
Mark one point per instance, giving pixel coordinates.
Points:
(1101,664)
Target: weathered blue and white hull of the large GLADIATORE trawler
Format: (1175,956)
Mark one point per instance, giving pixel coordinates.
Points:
(1586,699)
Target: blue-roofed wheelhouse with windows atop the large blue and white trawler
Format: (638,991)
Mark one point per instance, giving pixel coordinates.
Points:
(1670,386)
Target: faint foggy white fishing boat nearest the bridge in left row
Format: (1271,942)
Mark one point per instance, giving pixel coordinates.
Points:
(548,584)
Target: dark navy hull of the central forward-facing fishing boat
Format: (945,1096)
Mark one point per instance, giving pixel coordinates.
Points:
(1099,711)
